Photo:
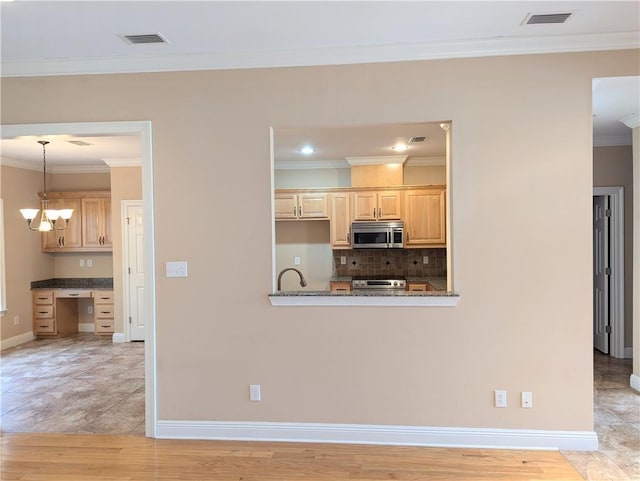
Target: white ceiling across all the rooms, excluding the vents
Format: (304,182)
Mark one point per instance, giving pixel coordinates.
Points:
(51,38)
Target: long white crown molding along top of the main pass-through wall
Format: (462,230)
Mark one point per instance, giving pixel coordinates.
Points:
(324,56)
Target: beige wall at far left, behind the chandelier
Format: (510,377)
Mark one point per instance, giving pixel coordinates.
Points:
(23,260)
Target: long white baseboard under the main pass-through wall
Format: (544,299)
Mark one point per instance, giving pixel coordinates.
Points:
(380,434)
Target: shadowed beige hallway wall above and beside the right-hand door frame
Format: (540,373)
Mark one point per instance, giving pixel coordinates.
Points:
(612,167)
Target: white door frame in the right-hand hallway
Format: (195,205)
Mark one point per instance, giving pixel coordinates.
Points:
(616,281)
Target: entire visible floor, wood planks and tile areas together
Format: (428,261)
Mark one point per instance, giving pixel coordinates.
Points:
(81,396)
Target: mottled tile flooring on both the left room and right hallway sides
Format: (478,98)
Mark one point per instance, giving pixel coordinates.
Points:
(85,384)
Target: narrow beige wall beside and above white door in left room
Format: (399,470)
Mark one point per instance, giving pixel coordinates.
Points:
(126,184)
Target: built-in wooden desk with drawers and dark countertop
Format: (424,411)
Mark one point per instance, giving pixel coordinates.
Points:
(55,306)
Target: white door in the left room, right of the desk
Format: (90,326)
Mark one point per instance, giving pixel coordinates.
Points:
(134,257)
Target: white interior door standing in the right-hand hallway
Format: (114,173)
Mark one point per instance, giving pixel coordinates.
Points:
(601,270)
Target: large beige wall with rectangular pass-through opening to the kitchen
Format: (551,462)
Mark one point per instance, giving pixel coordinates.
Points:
(521,240)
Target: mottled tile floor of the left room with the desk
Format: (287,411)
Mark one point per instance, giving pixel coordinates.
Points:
(80,384)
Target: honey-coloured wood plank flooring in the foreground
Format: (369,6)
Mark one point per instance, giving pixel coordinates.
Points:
(76,457)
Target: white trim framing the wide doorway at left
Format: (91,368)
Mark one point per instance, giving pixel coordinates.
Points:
(143,129)
